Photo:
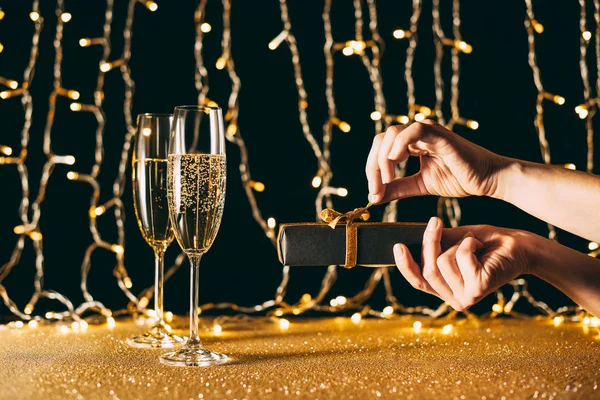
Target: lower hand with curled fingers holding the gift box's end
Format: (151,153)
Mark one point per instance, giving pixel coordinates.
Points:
(463,265)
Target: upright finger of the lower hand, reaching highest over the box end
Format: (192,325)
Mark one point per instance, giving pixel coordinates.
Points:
(431,252)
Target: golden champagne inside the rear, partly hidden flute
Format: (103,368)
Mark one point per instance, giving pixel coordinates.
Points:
(150,200)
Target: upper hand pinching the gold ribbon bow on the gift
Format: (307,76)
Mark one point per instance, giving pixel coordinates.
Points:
(450,165)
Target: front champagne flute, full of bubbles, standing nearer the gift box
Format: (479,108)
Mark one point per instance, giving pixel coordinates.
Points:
(196,178)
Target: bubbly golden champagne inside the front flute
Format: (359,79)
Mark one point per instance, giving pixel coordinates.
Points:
(196,198)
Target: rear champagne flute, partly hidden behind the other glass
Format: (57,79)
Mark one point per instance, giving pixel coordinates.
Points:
(152,213)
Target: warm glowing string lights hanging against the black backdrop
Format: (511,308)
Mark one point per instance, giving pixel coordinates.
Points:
(369,51)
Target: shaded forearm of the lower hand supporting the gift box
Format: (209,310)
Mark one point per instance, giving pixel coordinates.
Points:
(575,274)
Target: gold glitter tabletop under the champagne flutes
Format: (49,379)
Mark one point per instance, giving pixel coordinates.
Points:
(317,358)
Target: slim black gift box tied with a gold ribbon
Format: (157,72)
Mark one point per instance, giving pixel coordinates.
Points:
(317,244)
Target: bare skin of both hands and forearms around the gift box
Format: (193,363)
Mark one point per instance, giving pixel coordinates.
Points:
(463,265)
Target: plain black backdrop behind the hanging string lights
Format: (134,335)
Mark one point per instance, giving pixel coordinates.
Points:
(496,89)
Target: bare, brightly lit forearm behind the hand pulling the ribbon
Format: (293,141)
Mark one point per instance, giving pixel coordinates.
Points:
(559,196)
